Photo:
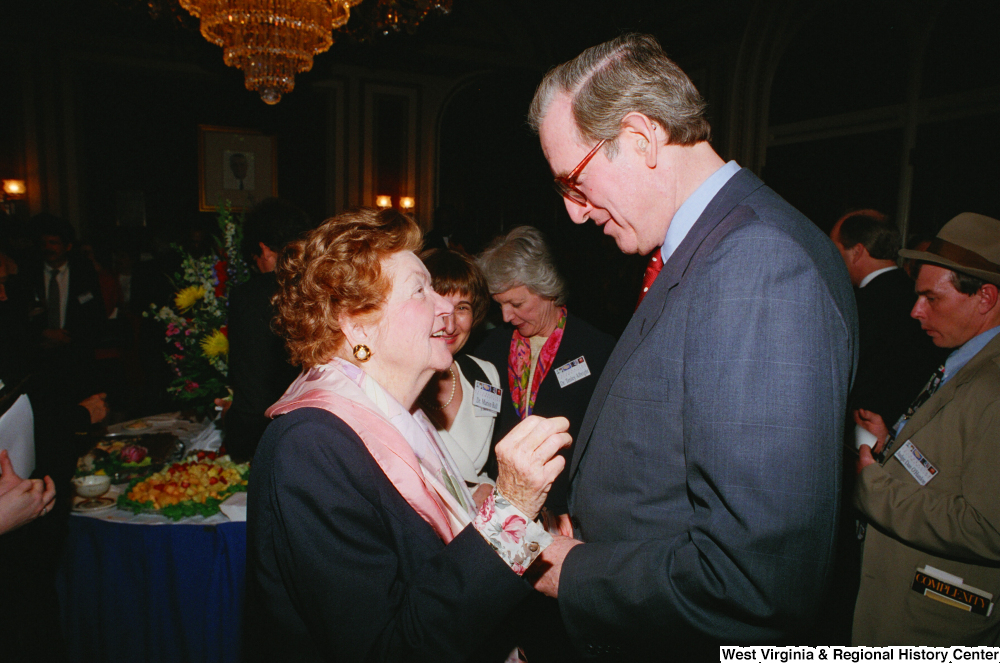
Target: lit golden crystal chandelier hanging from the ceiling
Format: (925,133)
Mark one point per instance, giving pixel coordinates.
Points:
(270,40)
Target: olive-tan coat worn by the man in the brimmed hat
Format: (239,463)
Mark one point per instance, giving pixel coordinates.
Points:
(952,523)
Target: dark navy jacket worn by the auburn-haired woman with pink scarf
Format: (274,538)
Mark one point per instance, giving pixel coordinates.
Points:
(340,567)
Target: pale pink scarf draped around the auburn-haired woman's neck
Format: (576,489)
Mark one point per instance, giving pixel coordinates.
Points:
(339,387)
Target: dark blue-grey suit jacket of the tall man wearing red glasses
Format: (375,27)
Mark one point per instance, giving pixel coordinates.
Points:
(706,478)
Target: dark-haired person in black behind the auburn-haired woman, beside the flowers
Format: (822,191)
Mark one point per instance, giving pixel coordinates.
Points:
(259,371)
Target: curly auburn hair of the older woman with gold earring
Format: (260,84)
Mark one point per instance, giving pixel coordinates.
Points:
(336,269)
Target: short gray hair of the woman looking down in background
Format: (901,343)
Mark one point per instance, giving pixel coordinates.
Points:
(521,257)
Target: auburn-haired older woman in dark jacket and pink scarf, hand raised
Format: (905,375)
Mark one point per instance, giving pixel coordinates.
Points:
(363,541)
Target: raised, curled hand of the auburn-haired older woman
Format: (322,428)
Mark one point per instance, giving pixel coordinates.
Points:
(529,461)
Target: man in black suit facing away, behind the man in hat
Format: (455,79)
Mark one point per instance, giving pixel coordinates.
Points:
(895,355)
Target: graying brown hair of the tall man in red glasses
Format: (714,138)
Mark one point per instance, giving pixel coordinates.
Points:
(629,74)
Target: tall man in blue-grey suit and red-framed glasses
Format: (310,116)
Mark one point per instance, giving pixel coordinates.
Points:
(706,477)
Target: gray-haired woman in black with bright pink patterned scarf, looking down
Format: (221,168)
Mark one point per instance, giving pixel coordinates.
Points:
(553,358)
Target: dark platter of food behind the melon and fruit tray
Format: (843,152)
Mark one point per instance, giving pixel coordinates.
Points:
(123,461)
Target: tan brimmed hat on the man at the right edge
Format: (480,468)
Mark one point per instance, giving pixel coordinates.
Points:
(969,243)
